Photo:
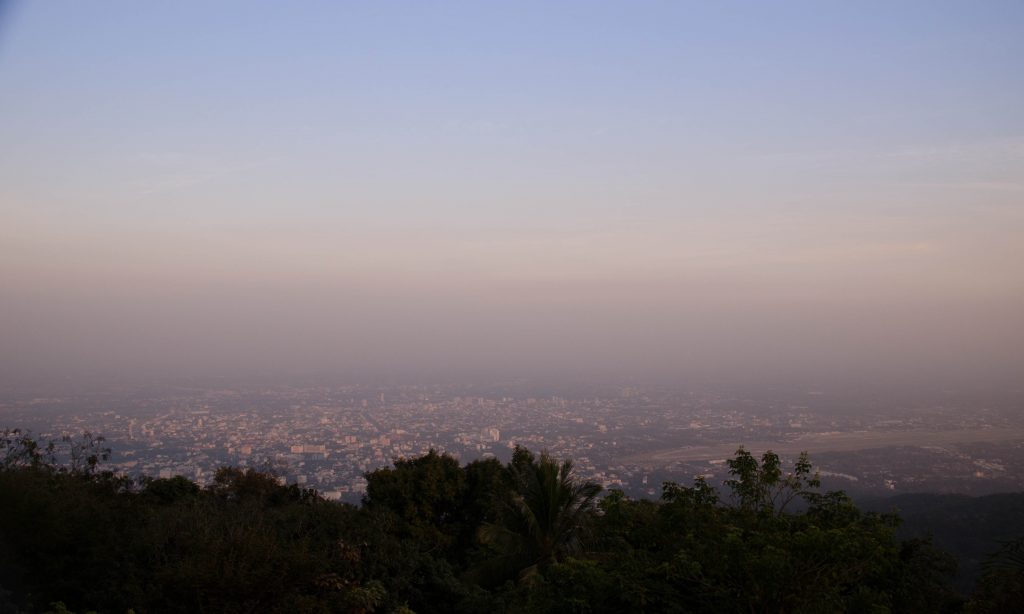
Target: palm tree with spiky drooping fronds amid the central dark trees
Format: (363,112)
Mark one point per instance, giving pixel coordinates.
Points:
(546,516)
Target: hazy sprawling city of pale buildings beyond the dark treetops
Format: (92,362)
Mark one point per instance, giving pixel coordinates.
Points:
(631,437)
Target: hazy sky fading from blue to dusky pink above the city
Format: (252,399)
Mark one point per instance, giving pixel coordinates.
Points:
(773,192)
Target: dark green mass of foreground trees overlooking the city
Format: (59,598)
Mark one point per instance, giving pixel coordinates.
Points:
(436,536)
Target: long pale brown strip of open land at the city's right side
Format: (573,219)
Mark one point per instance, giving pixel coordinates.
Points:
(828,443)
